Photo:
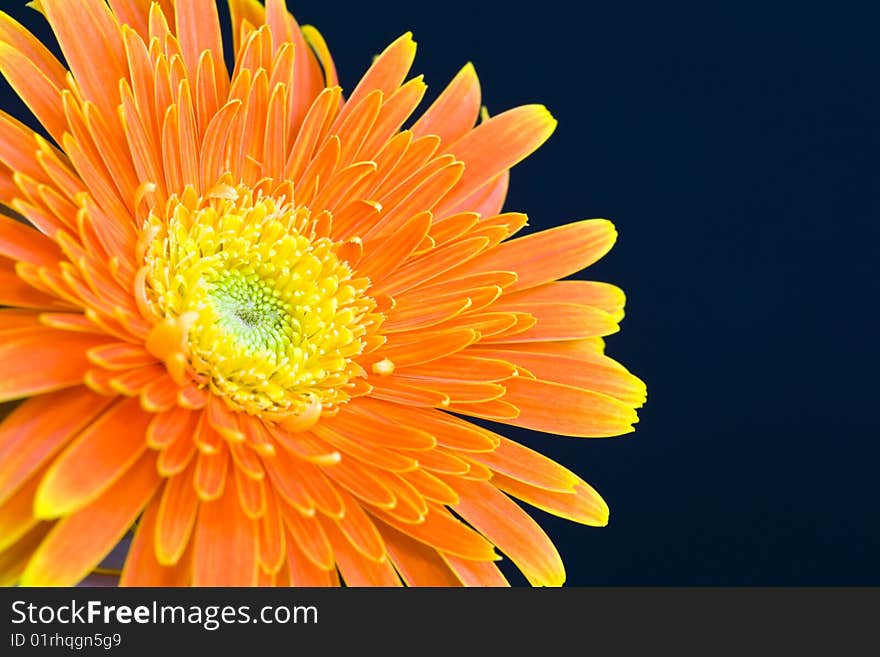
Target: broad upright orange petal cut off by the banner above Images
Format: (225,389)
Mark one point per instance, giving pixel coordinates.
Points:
(225,544)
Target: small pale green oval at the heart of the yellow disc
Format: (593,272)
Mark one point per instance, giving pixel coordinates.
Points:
(251,312)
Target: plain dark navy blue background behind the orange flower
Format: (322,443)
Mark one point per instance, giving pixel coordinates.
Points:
(736,149)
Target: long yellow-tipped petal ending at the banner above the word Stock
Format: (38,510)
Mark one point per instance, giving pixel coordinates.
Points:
(80,541)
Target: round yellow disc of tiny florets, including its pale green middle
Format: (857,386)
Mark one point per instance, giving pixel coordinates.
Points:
(269,317)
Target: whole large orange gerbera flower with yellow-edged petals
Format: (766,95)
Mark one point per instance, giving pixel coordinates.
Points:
(248,314)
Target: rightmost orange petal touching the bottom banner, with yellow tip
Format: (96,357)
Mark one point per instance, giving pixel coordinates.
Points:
(515,533)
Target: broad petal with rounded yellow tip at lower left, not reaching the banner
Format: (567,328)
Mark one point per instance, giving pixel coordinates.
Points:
(98,457)
